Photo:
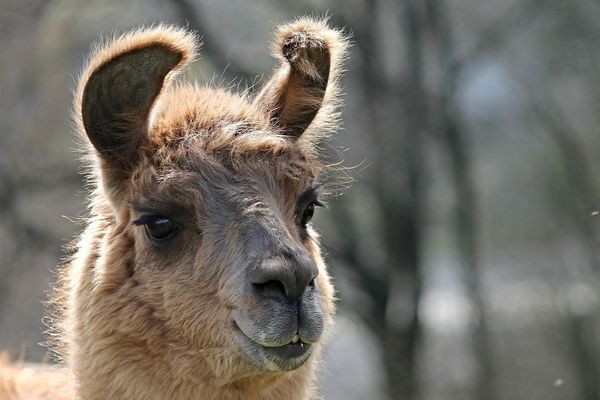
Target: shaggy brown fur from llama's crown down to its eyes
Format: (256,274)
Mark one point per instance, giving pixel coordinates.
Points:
(209,140)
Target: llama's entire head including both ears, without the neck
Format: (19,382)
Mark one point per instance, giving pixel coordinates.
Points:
(208,198)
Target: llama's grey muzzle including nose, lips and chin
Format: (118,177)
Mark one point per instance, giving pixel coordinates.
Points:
(282,318)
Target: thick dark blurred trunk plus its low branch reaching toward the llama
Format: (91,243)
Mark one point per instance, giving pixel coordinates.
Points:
(397,169)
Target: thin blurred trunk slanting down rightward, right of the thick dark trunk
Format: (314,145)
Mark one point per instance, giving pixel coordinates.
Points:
(466,209)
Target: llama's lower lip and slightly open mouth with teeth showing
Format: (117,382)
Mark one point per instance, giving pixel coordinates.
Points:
(276,358)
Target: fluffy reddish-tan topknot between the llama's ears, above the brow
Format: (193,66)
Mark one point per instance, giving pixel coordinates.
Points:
(208,126)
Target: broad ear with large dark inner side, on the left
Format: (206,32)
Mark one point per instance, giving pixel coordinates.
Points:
(120,85)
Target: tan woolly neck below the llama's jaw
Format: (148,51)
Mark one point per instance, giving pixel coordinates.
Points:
(131,373)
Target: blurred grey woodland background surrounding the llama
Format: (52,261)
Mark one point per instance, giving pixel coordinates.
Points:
(466,251)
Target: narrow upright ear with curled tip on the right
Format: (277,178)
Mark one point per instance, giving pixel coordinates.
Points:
(306,82)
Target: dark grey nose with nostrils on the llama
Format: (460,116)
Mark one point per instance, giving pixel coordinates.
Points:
(287,275)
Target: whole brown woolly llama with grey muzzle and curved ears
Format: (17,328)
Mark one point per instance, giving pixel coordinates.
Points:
(198,275)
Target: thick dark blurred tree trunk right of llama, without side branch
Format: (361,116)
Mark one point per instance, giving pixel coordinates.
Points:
(399,189)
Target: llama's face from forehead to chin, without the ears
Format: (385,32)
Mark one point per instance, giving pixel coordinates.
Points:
(235,235)
